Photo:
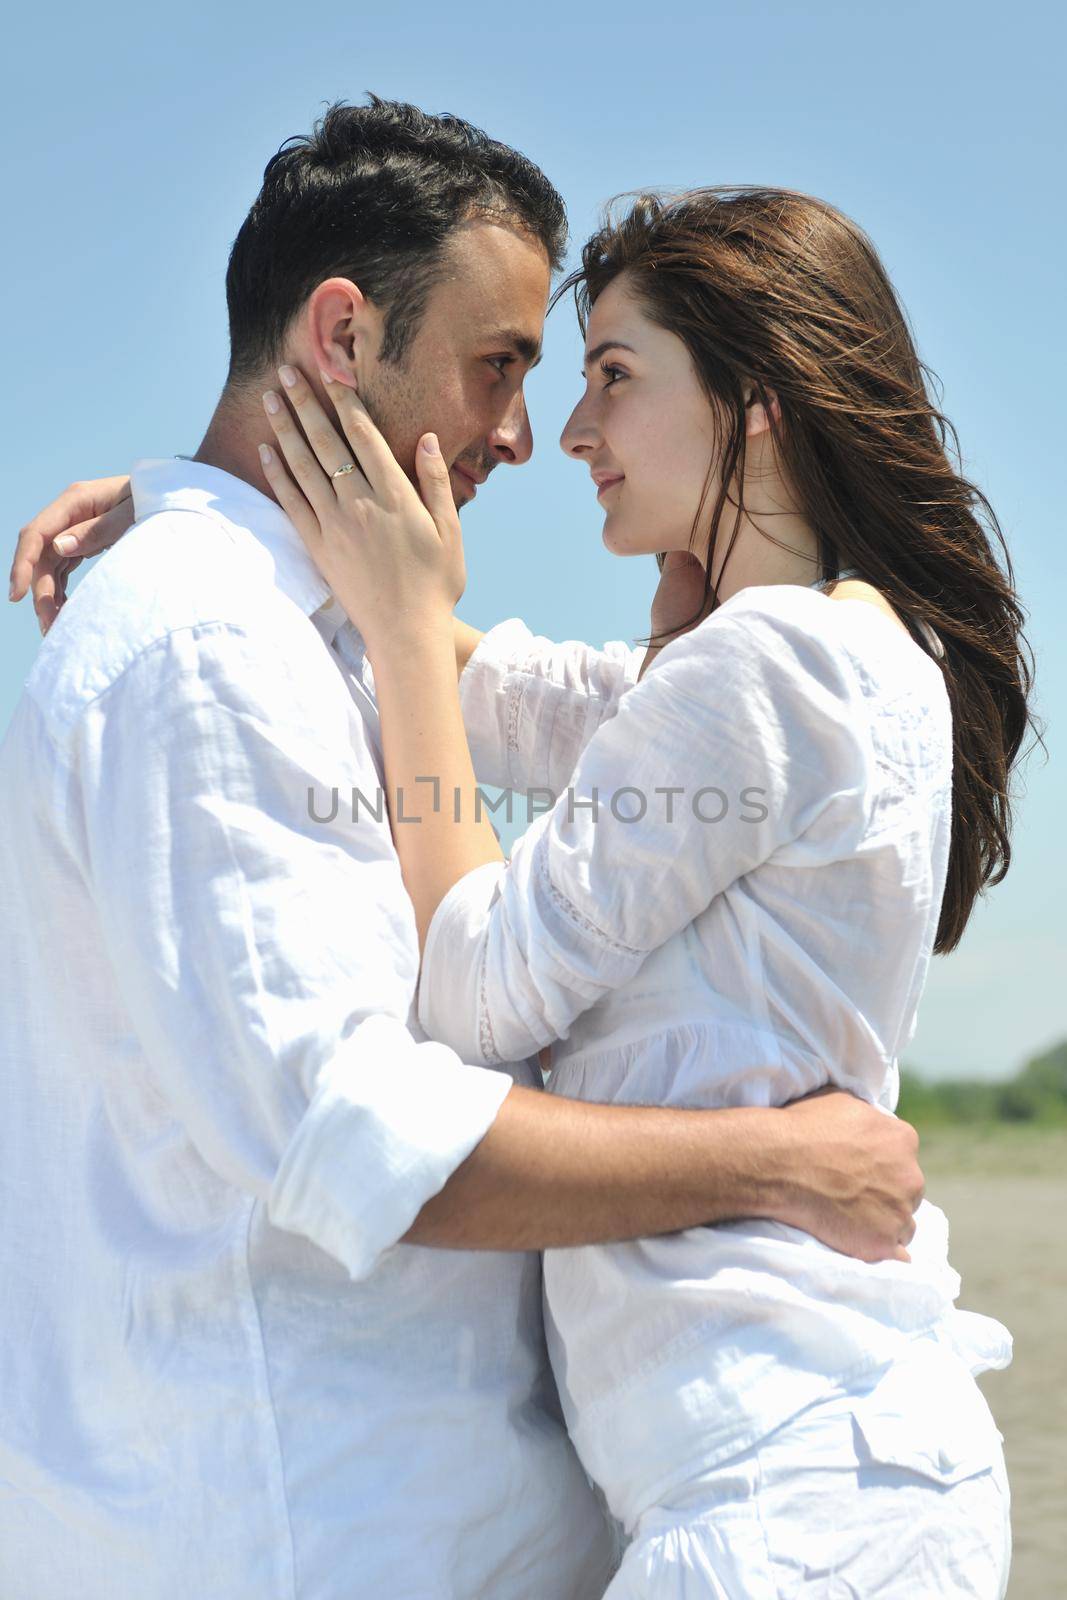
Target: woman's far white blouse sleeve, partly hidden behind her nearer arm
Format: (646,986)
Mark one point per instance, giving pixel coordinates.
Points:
(532,706)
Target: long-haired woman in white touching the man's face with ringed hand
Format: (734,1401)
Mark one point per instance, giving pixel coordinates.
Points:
(761,846)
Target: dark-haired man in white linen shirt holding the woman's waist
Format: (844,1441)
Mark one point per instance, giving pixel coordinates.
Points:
(234,1356)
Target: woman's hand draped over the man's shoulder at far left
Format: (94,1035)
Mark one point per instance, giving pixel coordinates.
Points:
(84,521)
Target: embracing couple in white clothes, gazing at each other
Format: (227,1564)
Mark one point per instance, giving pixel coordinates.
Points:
(279,1164)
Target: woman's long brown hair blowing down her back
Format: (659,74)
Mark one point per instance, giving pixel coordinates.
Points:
(777,292)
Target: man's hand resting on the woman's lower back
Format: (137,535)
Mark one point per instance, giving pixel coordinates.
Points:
(852,1177)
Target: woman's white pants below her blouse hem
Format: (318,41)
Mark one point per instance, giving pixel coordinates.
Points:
(893,1494)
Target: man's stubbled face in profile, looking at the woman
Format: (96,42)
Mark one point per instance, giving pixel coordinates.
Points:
(463,374)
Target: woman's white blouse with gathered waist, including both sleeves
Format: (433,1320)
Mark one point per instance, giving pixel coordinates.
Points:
(733,902)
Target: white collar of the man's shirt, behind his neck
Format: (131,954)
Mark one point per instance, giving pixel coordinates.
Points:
(177,484)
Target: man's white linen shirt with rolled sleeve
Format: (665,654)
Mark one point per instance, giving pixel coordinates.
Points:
(220,1374)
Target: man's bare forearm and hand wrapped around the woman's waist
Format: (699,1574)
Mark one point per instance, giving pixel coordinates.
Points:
(556,1174)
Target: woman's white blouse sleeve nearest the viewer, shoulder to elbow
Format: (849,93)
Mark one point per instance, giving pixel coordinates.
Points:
(746,742)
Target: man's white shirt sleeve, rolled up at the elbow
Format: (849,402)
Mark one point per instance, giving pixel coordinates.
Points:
(266,948)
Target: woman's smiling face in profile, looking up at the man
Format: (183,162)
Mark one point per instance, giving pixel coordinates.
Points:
(644,426)
